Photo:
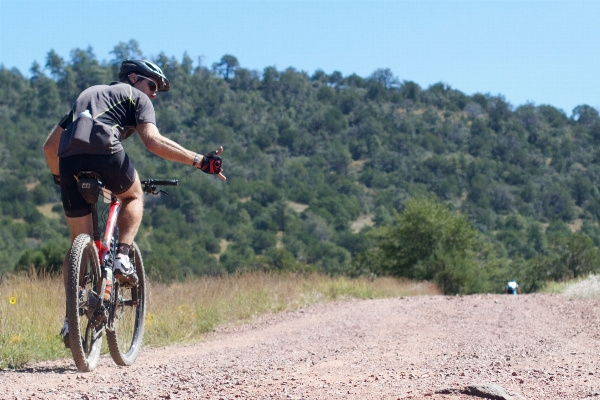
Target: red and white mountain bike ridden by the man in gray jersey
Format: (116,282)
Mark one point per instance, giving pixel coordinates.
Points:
(96,303)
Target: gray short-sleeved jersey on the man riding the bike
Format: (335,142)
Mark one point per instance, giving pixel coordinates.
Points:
(101,117)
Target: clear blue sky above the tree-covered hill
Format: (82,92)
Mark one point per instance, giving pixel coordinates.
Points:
(543,52)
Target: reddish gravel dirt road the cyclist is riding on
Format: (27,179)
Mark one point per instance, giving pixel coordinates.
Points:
(534,346)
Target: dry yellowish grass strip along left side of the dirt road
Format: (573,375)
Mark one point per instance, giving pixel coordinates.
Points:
(32,306)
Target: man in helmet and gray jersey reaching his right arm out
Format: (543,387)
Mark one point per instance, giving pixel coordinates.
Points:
(88,138)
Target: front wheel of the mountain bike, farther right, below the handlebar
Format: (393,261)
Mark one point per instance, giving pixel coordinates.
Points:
(129,308)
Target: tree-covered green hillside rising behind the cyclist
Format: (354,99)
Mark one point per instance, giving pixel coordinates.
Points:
(318,164)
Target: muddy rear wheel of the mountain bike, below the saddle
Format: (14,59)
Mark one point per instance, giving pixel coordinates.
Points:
(83,303)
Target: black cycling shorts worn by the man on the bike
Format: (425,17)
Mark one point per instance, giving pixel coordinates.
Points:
(116,170)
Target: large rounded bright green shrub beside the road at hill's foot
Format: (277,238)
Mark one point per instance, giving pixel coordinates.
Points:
(429,242)
